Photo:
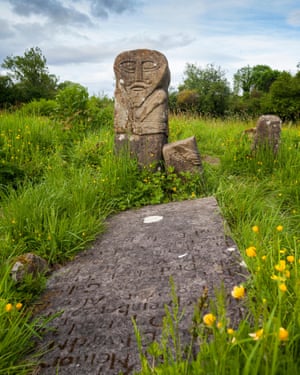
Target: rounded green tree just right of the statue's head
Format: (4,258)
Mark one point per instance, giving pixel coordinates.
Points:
(211,87)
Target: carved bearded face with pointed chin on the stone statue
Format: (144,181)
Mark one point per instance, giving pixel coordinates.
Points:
(140,72)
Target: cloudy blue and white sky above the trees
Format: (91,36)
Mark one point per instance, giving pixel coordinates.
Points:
(81,38)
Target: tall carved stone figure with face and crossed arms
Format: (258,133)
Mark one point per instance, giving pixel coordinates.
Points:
(141,104)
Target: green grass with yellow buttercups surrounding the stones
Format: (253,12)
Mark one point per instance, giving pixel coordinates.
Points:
(58,185)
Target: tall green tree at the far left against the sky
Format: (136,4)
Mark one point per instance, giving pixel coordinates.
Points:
(30,75)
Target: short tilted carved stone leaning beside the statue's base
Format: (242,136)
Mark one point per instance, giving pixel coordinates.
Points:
(183,156)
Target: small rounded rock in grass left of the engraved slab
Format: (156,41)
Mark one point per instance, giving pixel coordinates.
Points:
(27,264)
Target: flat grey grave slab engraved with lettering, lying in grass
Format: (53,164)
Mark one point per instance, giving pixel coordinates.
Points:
(126,274)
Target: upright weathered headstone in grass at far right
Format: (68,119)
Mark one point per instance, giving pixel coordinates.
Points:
(267,132)
